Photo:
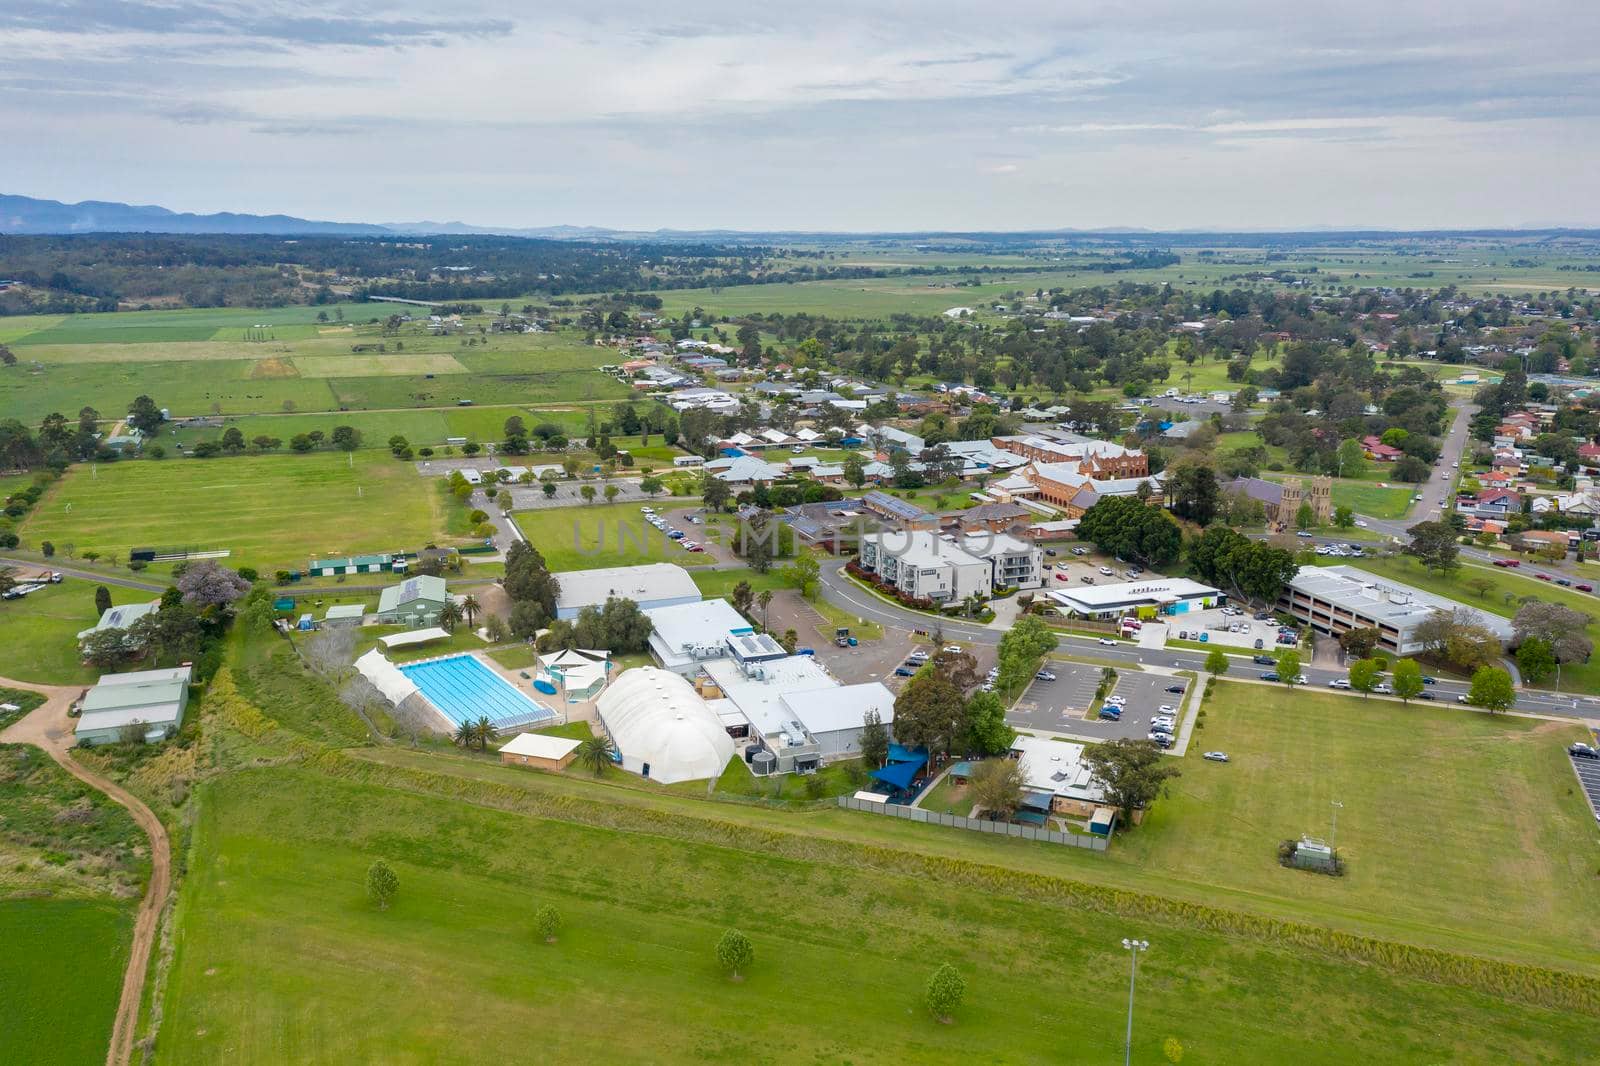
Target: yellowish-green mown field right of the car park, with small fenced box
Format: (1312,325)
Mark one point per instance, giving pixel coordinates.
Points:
(1458,828)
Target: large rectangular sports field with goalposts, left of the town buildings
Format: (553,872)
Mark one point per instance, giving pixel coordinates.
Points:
(270,511)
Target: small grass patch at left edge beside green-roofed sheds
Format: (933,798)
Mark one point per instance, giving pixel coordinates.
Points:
(39,635)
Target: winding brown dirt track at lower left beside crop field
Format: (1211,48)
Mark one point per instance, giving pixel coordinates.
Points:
(50,729)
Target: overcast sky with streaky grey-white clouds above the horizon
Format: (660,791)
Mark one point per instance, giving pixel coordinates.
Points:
(854,116)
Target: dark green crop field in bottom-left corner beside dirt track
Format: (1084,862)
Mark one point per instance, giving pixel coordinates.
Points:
(60,979)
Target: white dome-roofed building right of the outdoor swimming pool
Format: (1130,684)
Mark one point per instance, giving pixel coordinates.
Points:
(663,729)
